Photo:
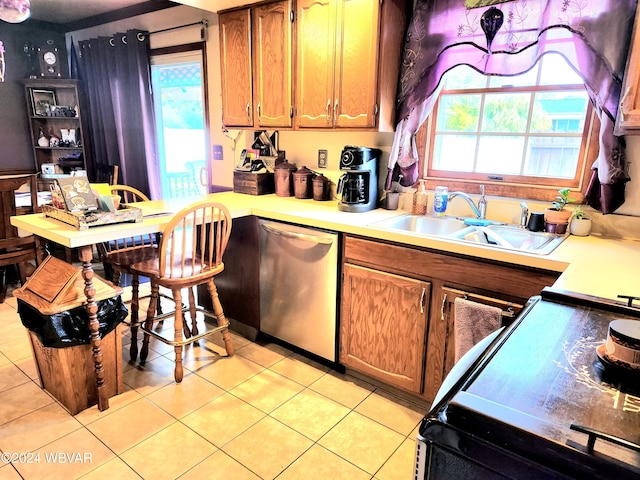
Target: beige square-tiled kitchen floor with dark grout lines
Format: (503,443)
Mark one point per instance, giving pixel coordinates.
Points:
(265,413)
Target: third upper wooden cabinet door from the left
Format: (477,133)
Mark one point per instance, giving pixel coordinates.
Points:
(316,45)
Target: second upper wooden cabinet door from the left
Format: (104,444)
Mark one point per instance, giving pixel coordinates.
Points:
(272,64)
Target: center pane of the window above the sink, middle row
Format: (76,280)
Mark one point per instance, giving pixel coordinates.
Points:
(506,112)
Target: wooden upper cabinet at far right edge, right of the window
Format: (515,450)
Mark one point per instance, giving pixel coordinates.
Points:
(628,119)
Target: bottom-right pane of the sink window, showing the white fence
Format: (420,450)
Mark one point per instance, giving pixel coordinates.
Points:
(552,156)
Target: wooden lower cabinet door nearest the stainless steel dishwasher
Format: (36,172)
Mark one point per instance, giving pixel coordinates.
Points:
(383,326)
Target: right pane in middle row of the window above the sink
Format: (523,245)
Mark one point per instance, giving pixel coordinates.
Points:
(559,112)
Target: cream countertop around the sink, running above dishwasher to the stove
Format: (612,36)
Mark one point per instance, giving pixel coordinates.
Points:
(593,265)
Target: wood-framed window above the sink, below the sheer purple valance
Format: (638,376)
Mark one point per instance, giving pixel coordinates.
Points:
(526,131)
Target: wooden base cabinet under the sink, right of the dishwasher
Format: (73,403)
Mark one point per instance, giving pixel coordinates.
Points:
(397,317)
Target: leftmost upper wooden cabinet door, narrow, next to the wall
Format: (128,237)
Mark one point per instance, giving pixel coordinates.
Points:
(235,68)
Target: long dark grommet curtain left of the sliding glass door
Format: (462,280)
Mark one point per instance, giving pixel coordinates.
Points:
(117,77)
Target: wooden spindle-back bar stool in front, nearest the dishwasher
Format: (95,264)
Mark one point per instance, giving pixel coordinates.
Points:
(190,254)
